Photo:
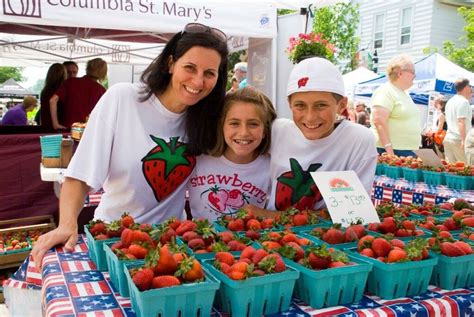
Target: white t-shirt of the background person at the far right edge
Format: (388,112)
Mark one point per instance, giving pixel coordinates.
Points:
(456,108)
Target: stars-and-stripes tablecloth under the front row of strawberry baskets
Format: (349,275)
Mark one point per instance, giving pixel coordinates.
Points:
(71,286)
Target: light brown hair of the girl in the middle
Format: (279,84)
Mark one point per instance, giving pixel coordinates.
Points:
(264,107)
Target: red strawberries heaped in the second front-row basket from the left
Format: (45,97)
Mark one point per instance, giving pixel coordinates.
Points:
(252,262)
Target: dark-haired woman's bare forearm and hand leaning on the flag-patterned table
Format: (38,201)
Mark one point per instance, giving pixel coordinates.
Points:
(73,194)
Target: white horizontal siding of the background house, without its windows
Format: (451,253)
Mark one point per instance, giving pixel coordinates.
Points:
(432,23)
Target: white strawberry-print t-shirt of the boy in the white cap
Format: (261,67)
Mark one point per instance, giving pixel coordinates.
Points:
(350,146)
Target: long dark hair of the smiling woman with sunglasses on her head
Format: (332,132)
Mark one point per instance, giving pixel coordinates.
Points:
(202,118)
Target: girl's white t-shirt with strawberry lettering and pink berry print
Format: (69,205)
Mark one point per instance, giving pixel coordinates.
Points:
(219,186)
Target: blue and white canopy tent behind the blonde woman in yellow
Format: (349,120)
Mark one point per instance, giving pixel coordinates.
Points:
(433,73)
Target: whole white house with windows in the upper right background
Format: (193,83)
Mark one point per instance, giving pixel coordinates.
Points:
(407,26)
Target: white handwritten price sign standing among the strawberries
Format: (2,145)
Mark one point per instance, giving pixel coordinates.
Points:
(345,197)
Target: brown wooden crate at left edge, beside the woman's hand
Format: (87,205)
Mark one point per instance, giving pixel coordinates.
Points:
(14,259)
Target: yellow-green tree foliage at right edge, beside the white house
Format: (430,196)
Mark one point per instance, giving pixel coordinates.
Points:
(463,55)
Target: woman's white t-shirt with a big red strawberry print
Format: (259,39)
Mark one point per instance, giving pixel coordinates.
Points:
(117,137)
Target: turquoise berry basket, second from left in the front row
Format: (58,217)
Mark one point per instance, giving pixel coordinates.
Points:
(256,296)
